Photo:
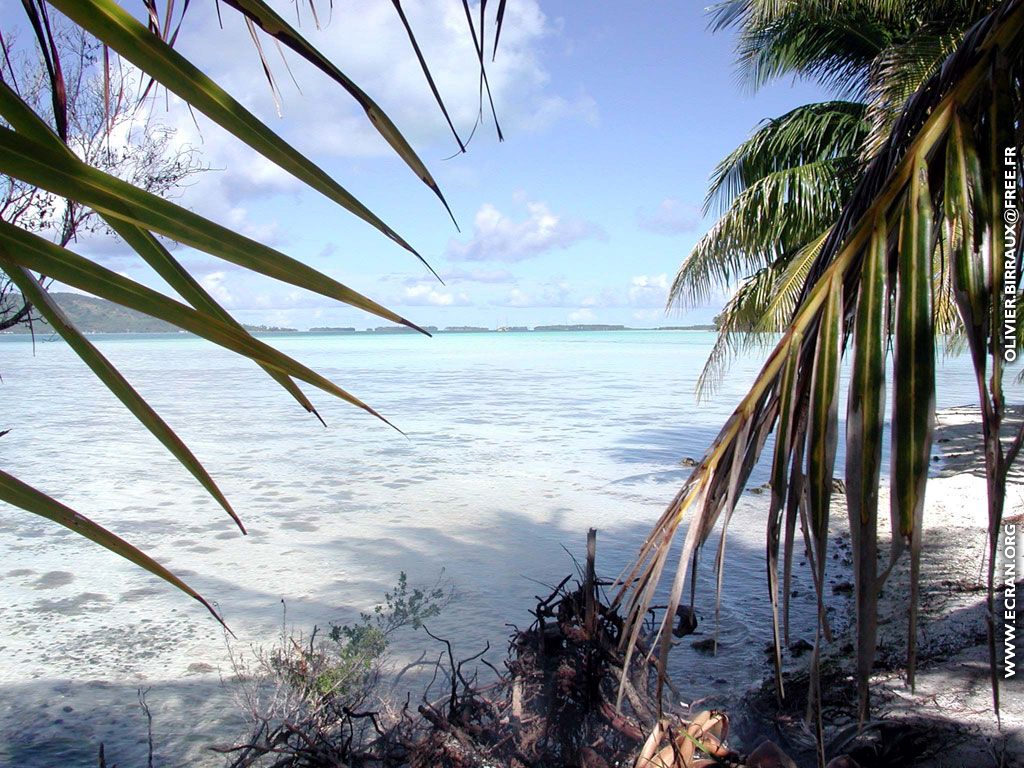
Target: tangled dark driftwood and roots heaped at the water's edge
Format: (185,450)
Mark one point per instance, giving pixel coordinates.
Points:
(553,705)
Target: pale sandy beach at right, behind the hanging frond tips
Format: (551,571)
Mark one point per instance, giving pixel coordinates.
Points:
(954,676)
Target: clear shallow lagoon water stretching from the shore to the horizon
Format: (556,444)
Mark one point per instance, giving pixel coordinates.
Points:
(517,445)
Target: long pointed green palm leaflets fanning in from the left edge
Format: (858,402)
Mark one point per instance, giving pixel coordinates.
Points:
(33,153)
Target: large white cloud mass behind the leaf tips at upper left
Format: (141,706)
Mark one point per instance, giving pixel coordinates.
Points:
(367,41)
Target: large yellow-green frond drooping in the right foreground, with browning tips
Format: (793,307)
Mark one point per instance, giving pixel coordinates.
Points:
(942,167)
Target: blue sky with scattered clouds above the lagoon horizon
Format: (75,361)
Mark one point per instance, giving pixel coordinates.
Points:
(615,116)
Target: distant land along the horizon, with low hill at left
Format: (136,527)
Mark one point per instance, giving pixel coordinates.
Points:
(93,316)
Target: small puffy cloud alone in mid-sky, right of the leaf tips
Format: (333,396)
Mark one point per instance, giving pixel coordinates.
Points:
(499,238)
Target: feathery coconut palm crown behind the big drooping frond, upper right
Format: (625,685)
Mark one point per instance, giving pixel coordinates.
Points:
(779,193)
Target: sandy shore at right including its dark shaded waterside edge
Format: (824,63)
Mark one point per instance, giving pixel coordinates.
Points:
(953,698)
